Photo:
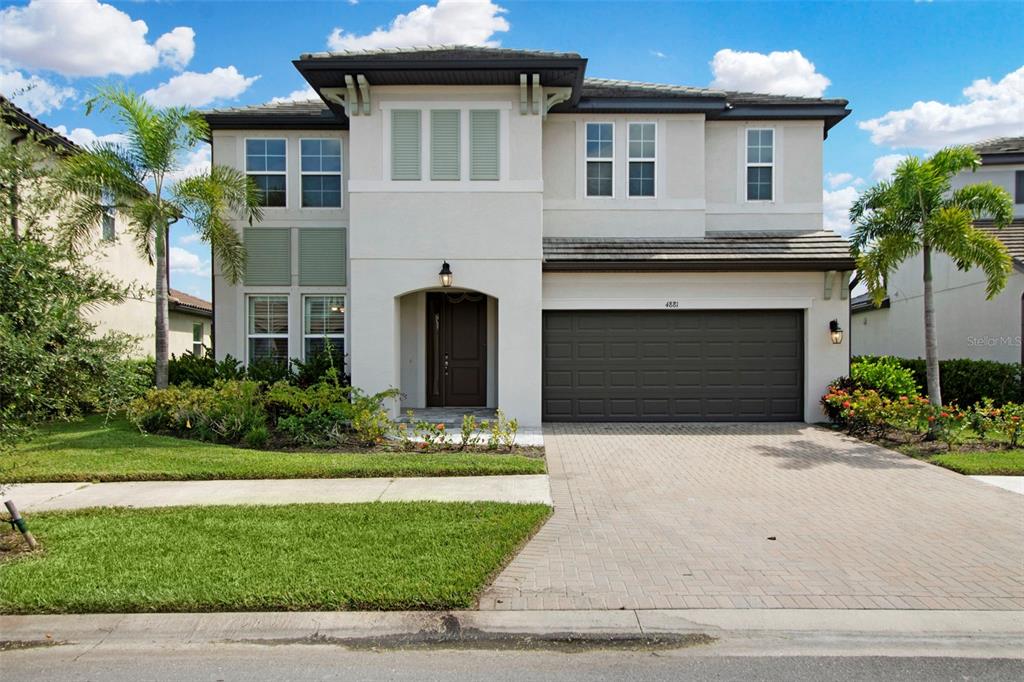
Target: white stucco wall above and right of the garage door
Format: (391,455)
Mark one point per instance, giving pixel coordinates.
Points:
(824,361)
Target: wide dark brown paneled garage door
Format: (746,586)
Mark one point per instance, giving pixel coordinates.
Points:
(673,366)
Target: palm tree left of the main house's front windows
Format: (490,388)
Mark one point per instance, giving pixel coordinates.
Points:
(138,178)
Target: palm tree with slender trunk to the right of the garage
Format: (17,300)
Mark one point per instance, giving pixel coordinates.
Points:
(916,212)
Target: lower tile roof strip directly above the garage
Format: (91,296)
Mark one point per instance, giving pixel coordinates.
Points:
(772,250)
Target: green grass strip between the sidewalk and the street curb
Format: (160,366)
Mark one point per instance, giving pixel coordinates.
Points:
(422,556)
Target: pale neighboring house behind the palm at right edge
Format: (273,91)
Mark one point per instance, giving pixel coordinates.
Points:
(967,324)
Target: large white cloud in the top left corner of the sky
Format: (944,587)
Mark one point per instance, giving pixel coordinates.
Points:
(86,38)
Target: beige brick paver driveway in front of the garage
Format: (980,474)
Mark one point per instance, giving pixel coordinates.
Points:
(734,517)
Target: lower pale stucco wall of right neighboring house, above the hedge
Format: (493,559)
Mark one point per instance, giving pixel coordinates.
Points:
(967,324)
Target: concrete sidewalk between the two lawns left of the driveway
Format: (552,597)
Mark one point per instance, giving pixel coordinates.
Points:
(46,497)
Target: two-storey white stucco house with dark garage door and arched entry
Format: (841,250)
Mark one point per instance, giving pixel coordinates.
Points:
(618,251)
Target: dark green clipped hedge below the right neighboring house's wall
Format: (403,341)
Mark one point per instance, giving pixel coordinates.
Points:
(966,382)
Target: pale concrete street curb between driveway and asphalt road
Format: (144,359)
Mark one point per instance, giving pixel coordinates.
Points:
(411,627)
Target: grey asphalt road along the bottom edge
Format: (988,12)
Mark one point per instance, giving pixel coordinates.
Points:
(227,663)
